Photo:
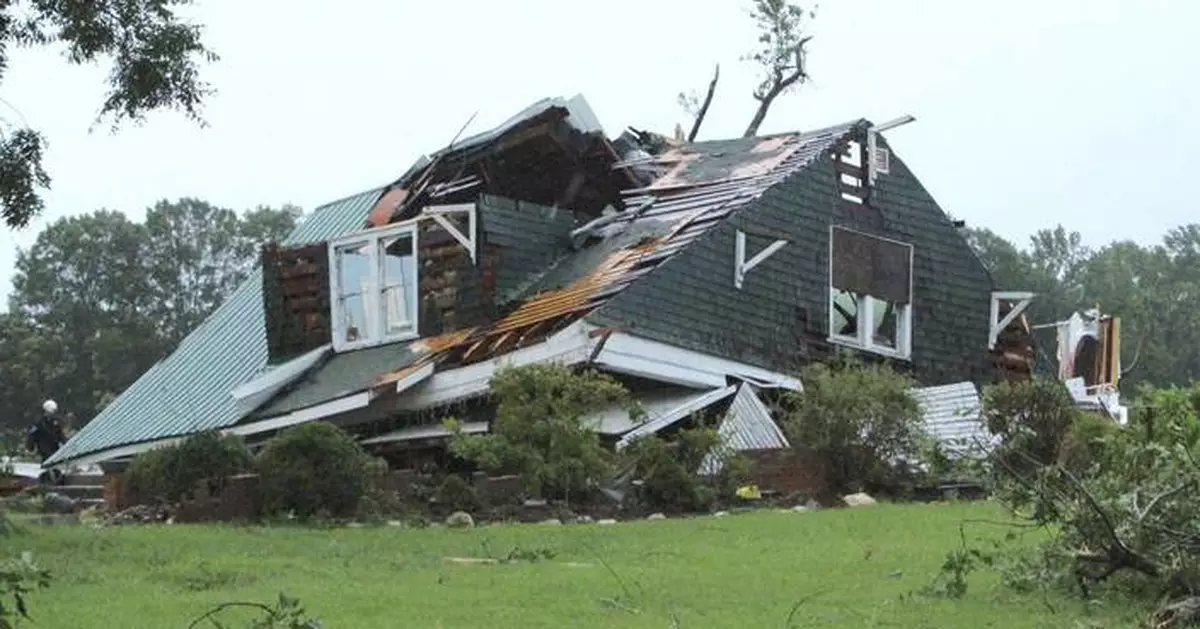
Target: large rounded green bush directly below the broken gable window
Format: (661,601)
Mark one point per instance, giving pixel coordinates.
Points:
(855,420)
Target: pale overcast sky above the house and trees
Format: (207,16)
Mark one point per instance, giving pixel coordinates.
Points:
(1029,113)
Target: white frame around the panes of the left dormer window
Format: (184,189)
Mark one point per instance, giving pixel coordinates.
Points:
(373,303)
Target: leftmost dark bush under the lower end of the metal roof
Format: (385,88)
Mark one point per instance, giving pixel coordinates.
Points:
(172,474)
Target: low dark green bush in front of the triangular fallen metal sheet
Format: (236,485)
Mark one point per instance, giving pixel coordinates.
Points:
(669,470)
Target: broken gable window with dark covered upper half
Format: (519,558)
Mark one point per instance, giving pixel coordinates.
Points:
(871,292)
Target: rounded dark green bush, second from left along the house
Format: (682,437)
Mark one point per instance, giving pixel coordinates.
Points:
(314,470)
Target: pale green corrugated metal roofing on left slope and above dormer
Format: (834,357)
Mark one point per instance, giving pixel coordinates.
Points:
(190,391)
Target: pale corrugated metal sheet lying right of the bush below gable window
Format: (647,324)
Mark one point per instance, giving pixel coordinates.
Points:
(952,416)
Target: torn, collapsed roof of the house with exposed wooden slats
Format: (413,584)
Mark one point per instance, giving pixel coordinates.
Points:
(638,202)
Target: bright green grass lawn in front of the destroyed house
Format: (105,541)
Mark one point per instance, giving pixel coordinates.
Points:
(739,572)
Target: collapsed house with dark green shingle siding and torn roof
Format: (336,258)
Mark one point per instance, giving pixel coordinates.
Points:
(701,275)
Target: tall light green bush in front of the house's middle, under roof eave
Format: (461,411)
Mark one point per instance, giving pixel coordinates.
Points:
(541,432)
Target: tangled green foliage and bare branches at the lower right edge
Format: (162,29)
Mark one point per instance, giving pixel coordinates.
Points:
(1121,499)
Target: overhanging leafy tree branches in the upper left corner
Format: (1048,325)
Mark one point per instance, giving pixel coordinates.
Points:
(155,55)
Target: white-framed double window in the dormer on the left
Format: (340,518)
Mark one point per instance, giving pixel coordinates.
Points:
(374,290)
